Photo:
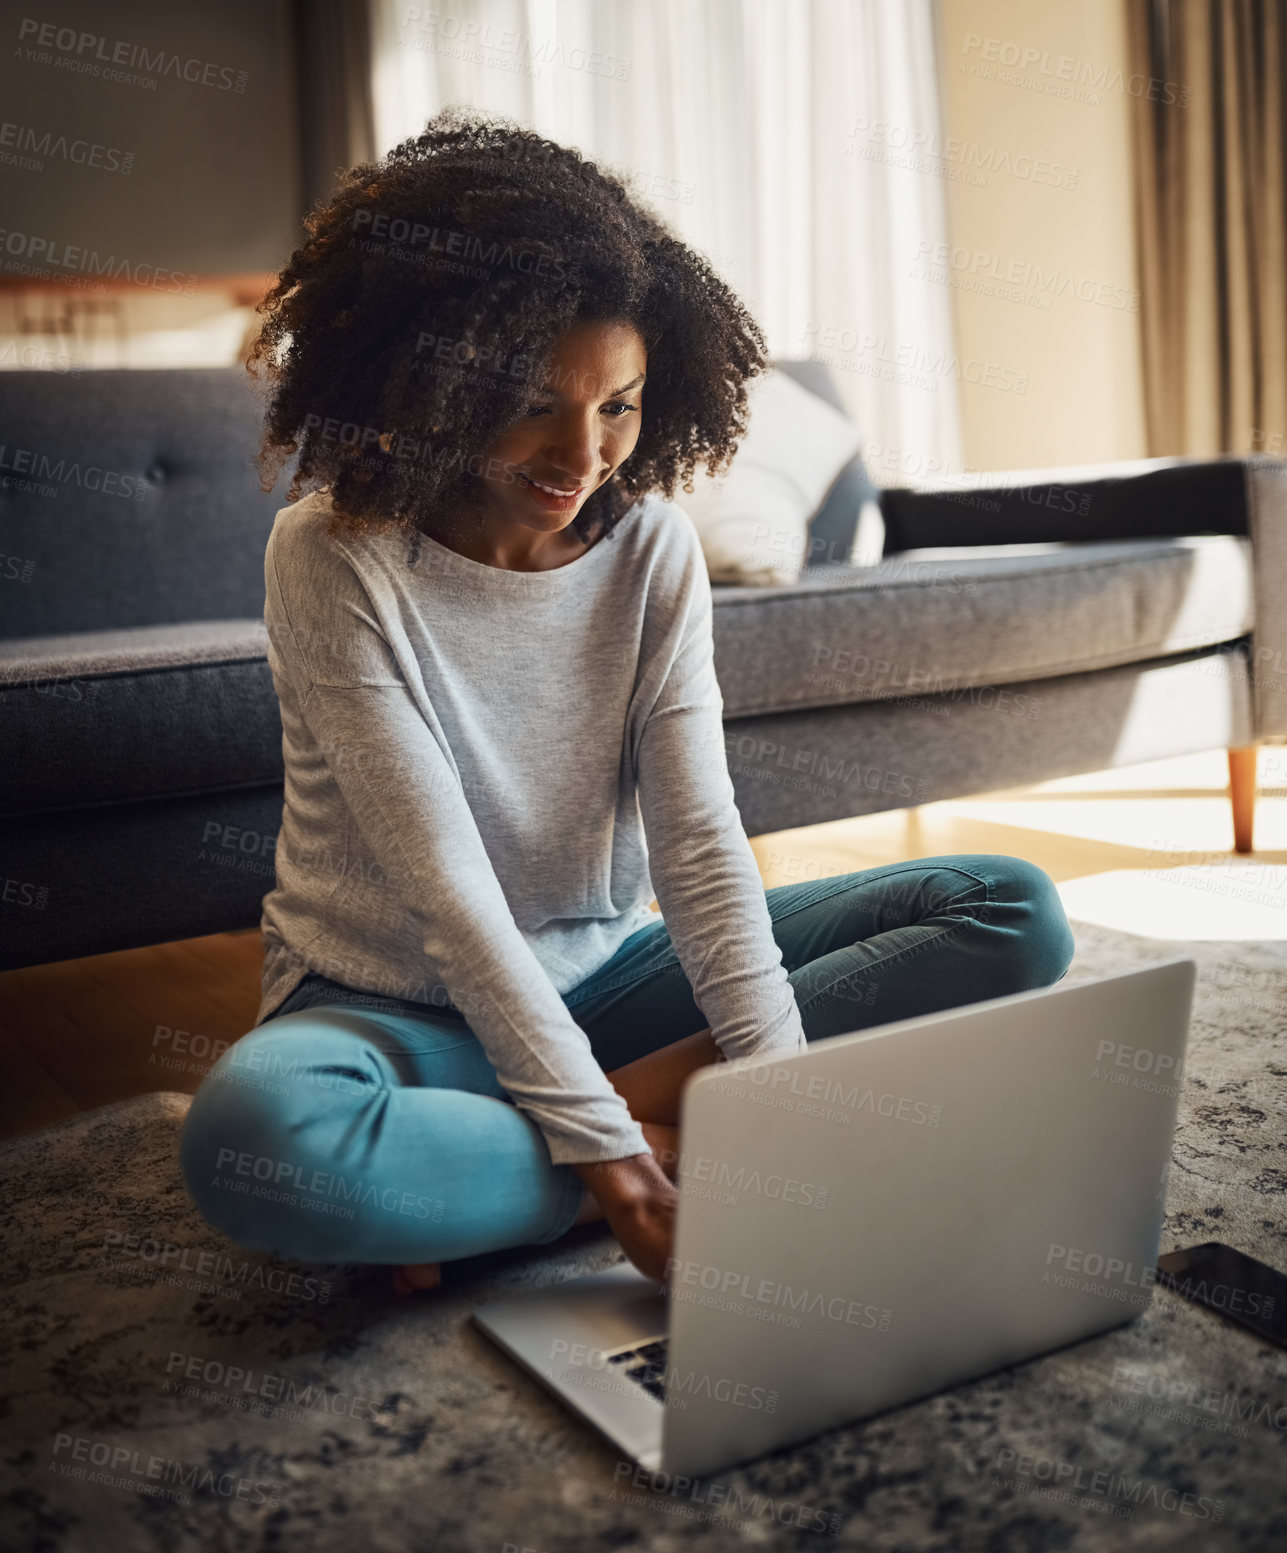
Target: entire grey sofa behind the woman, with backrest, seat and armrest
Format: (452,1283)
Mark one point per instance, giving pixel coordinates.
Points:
(1046,627)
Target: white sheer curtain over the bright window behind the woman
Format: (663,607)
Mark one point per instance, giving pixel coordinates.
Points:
(735,120)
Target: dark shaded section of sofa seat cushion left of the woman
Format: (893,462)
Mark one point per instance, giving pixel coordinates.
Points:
(111,717)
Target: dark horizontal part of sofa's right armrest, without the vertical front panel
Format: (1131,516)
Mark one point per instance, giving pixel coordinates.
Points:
(1157,498)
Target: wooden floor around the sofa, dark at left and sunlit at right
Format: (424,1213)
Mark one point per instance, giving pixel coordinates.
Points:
(1136,849)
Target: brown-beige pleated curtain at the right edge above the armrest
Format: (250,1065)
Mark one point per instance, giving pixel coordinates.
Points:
(1212,189)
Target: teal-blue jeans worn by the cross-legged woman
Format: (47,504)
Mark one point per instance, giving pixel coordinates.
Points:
(352,1128)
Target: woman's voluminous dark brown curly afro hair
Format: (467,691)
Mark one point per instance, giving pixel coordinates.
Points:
(482,243)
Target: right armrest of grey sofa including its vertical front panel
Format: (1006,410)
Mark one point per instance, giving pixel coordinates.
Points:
(1159,498)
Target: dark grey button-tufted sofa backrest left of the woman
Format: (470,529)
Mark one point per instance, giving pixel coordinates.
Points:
(131,498)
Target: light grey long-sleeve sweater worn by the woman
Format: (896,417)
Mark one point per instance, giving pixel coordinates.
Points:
(488,777)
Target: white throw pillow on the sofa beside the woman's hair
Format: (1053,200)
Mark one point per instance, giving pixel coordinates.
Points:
(754,519)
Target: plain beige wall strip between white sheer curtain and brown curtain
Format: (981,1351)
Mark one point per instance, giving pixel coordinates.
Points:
(1036,159)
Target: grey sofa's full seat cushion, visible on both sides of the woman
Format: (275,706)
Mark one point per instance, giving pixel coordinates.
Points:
(113,717)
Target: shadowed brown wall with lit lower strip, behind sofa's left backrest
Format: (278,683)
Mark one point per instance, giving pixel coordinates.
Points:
(148,156)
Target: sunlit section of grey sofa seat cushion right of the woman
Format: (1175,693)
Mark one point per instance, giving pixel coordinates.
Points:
(937,620)
